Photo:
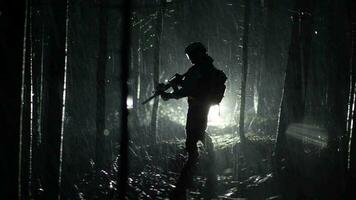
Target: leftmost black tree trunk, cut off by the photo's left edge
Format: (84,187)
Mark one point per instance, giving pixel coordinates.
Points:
(12,42)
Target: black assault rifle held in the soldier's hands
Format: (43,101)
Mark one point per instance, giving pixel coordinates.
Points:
(173,82)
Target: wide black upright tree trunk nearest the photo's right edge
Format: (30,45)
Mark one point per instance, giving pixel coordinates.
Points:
(337,90)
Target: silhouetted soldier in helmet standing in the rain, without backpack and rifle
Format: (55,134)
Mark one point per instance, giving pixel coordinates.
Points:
(195,85)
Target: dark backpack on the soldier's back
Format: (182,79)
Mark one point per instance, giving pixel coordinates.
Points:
(217,89)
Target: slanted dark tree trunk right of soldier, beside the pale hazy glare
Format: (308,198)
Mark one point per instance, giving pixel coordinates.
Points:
(293,99)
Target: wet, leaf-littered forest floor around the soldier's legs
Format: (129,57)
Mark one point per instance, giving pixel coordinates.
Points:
(244,171)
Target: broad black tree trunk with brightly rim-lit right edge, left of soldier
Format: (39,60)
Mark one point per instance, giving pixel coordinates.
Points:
(55,73)
